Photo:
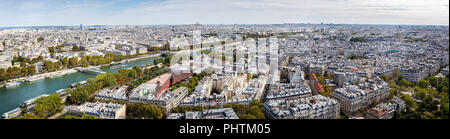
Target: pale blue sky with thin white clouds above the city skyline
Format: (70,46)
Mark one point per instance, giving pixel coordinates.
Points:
(155,12)
